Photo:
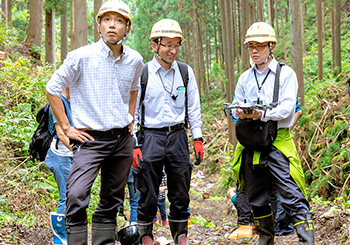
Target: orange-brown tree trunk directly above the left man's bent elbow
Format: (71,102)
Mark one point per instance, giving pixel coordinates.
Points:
(50,37)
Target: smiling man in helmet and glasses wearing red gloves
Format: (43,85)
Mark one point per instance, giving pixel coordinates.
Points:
(168,101)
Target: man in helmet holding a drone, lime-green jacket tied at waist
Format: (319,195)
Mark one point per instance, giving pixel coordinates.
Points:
(277,166)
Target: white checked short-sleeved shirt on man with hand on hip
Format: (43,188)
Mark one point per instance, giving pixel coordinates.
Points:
(99,85)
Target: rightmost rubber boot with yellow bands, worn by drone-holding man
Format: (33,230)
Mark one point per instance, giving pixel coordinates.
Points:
(304,226)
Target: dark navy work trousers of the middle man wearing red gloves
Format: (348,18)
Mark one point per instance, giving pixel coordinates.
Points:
(168,149)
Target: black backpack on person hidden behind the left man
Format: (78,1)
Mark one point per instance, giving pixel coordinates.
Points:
(41,139)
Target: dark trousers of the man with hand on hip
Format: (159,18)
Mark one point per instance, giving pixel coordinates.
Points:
(112,153)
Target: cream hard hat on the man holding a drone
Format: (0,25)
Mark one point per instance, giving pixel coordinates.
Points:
(260,32)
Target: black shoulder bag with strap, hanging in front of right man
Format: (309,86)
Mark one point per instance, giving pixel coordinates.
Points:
(256,134)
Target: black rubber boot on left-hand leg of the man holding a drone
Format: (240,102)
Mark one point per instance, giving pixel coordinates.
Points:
(266,228)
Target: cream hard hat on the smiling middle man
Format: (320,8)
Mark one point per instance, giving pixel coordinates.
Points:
(166,28)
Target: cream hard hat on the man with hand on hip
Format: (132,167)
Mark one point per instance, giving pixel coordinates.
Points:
(116,6)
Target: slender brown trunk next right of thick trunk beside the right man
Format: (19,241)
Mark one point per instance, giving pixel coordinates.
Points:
(319,39)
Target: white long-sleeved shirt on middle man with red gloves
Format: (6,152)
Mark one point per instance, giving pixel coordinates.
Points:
(160,109)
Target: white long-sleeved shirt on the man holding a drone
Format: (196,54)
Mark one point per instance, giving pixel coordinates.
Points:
(247,88)
